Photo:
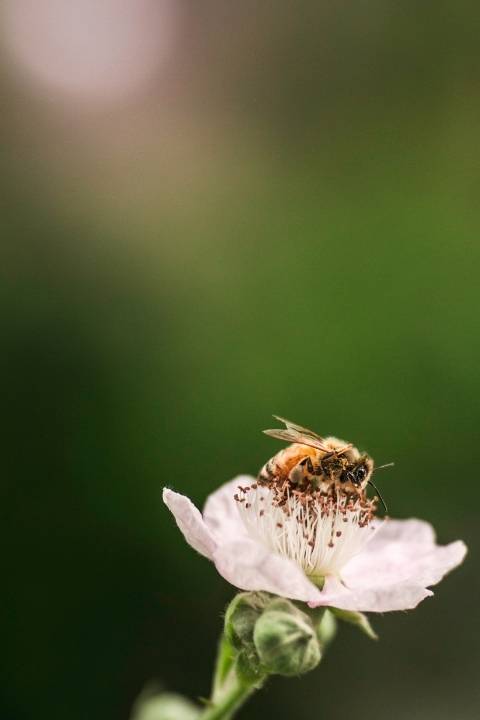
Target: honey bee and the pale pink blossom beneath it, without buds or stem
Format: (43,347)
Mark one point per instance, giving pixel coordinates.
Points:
(305,529)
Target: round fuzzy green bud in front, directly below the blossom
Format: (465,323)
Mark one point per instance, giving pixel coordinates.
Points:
(285,639)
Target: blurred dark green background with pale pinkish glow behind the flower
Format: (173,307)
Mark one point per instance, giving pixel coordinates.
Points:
(212,212)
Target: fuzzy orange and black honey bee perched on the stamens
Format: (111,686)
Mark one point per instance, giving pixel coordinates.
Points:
(323,464)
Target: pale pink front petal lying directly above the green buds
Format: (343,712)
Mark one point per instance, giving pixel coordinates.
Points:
(248,565)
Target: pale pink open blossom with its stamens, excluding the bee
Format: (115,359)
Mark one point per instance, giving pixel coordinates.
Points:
(260,541)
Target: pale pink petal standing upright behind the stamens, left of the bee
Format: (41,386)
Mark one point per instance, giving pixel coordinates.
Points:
(221,512)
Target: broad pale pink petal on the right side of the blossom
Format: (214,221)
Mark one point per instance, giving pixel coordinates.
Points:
(394,569)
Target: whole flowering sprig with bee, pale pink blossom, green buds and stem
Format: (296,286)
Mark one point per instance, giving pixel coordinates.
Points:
(304,529)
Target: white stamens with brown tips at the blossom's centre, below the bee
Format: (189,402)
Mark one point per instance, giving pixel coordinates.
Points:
(320,531)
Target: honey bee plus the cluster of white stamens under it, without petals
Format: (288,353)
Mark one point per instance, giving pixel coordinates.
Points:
(309,502)
